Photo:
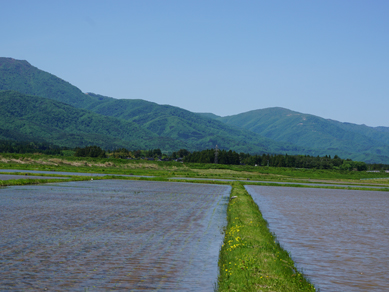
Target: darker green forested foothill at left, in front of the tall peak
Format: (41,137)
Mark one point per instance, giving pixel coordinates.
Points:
(24,117)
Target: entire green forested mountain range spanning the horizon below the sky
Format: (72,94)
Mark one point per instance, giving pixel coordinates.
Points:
(37,105)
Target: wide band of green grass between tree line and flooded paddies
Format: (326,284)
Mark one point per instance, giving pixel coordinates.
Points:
(177,169)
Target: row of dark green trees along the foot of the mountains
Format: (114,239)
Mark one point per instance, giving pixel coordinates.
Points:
(205,156)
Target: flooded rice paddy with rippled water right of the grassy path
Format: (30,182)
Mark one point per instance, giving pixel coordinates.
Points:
(340,238)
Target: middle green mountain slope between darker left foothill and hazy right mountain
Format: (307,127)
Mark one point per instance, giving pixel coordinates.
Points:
(183,125)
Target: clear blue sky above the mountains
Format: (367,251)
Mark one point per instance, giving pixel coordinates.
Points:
(327,58)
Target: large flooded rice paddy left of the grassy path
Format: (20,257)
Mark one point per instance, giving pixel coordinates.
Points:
(111,235)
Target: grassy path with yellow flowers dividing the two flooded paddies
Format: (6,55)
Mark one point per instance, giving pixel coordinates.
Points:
(251,259)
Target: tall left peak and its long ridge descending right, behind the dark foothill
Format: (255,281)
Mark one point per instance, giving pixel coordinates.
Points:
(165,122)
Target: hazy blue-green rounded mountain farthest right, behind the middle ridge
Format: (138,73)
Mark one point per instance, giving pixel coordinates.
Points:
(333,137)
